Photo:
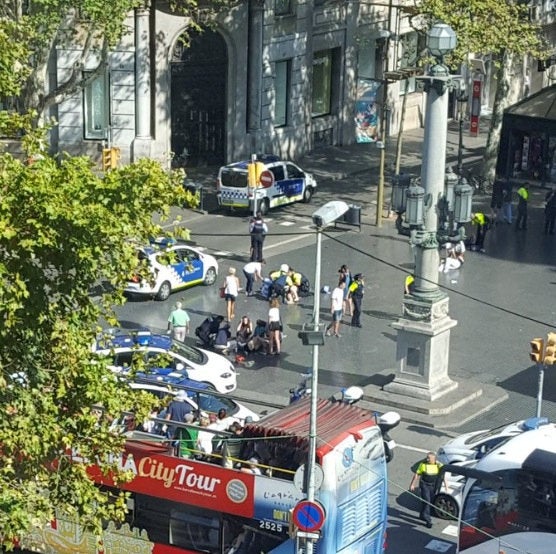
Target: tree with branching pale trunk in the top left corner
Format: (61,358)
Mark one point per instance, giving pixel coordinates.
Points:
(36,30)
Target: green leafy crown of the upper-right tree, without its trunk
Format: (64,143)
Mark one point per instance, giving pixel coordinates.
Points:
(485,26)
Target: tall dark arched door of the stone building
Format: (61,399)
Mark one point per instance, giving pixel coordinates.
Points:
(198,100)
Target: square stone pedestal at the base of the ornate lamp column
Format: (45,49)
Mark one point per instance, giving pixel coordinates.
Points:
(423,347)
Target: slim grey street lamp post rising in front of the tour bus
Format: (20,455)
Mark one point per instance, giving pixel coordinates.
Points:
(314,337)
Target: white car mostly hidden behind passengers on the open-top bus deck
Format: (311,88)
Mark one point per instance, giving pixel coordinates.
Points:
(200,400)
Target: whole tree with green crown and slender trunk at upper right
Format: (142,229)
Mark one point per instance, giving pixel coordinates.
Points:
(499,28)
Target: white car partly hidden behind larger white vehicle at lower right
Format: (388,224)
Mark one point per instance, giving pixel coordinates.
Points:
(473,446)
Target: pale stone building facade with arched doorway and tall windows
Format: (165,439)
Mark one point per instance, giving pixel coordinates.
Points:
(275,76)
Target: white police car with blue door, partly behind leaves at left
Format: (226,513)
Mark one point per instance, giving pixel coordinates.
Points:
(174,266)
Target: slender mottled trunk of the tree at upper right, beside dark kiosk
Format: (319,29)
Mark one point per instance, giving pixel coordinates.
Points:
(501,102)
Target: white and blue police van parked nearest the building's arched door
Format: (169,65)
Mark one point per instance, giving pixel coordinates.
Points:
(282,182)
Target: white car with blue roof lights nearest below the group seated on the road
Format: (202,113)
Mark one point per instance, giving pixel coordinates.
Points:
(162,353)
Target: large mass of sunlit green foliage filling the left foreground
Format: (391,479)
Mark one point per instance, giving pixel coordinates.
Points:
(64,231)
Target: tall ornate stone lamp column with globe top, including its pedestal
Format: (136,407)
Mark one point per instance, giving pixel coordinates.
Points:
(424,328)
